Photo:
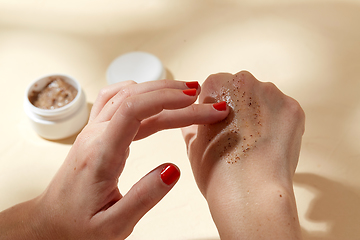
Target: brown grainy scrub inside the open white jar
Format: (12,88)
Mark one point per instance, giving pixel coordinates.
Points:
(56,94)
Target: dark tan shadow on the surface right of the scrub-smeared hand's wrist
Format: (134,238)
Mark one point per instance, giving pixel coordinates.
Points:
(336,204)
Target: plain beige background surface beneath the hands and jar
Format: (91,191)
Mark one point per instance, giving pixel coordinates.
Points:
(309,49)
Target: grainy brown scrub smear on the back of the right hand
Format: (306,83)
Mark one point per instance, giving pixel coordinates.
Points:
(241,130)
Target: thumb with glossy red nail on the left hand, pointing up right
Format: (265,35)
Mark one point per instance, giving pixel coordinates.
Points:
(146,193)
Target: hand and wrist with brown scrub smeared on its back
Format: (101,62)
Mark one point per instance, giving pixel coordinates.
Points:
(244,165)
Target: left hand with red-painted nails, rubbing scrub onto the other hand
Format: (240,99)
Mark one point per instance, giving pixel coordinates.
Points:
(83,200)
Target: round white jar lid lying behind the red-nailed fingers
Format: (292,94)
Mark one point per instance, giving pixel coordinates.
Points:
(137,66)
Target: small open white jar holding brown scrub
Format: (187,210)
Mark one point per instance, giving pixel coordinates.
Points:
(63,121)
